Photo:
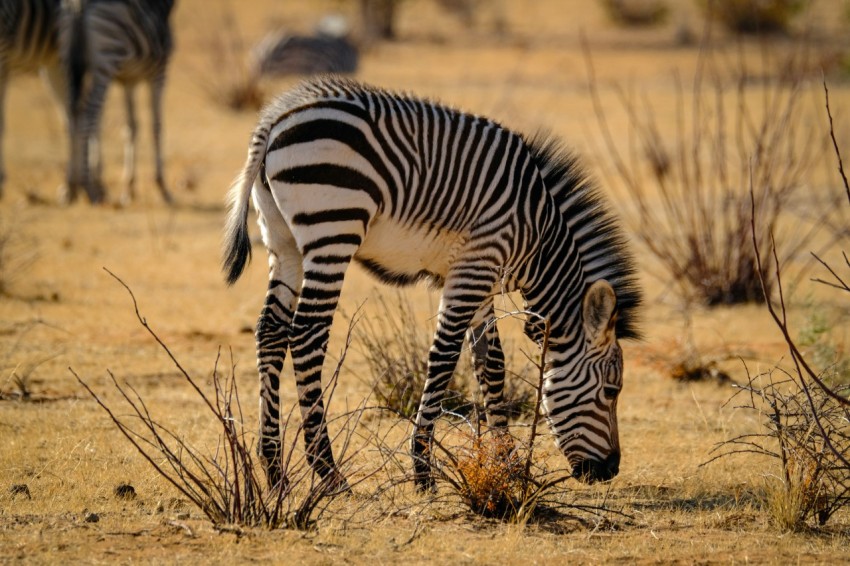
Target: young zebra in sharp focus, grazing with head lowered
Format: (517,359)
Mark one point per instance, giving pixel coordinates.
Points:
(417,191)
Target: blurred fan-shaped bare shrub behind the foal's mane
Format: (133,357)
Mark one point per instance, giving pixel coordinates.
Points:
(689,189)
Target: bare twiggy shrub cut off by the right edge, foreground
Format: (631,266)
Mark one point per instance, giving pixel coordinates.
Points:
(806,421)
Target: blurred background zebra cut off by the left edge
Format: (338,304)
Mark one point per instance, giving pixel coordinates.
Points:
(29,36)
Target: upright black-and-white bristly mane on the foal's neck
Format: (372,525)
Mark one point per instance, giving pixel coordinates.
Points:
(596,231)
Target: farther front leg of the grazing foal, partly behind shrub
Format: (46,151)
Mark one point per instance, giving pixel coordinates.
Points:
(488,362)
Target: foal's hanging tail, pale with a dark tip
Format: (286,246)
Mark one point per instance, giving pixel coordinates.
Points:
(237,244)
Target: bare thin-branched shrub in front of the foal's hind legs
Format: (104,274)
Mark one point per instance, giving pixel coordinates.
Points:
(228,486)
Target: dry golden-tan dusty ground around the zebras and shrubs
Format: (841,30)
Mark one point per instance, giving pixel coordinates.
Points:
(62,310)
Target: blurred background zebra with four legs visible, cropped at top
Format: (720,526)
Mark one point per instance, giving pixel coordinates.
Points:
(124,40)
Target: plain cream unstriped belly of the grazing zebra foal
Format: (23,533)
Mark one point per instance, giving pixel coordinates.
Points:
(402,255)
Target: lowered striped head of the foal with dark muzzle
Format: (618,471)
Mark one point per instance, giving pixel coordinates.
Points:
(583,381)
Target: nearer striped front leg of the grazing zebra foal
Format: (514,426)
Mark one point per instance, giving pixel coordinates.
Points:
(467,287)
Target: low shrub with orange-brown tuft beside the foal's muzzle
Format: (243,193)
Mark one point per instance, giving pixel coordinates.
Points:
(490,473)
